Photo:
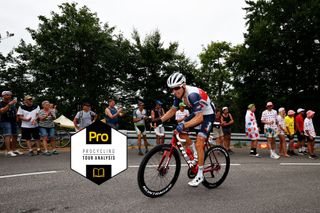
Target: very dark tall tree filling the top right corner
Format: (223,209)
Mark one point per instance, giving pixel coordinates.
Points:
(279,59)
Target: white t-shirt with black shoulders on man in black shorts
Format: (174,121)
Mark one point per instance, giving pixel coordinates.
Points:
(27,112)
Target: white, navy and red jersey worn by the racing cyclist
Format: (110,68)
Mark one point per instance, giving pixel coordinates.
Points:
(197,99)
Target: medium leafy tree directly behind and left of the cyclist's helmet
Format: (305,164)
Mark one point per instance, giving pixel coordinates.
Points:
(154,64)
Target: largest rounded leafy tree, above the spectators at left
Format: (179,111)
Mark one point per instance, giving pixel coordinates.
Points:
(74,58)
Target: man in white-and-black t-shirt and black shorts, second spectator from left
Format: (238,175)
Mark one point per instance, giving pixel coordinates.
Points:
(28,113)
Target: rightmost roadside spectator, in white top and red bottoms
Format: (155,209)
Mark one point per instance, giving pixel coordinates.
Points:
(310,133)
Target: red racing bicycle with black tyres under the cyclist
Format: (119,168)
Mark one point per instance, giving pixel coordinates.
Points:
(160,168)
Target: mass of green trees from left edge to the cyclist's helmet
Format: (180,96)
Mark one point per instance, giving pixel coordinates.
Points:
(74,59)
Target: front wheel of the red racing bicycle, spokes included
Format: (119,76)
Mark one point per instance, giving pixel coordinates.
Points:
(159,170)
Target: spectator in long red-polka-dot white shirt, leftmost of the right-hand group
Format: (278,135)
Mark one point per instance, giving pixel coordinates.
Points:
(252,130)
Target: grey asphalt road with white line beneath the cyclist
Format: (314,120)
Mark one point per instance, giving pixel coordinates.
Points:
(253,185)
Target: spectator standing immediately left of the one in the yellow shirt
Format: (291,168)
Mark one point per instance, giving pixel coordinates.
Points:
(282,130)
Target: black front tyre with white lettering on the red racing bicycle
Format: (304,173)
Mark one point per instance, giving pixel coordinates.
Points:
(161,174)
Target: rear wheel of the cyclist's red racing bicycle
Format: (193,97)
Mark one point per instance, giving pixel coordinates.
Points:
(218,158)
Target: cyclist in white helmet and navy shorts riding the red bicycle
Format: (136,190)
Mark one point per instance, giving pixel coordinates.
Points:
(203,113)
